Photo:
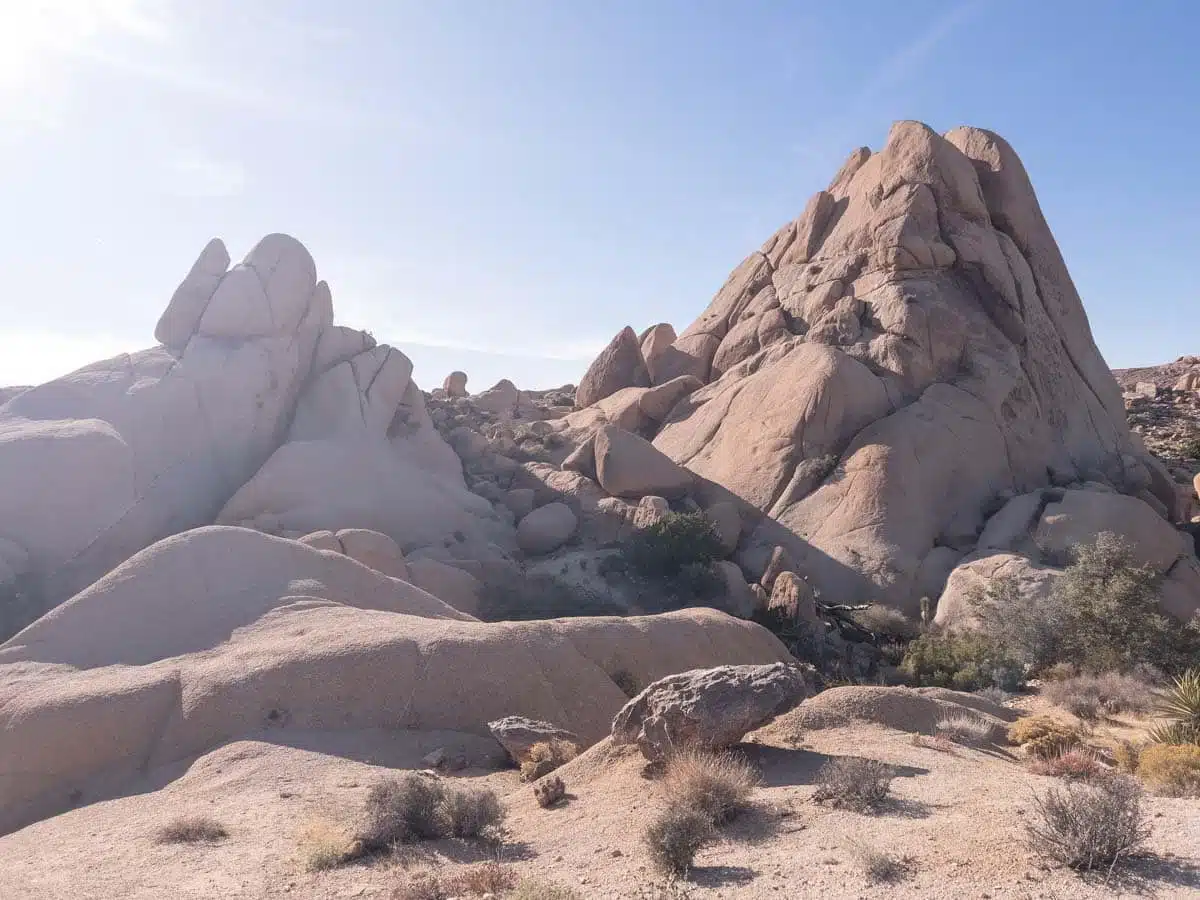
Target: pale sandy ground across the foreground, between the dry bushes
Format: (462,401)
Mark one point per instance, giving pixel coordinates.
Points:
(958,815)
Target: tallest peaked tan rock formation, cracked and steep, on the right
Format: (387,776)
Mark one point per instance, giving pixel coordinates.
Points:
(893,365)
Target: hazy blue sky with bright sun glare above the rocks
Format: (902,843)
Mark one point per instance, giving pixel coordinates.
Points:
(502,185)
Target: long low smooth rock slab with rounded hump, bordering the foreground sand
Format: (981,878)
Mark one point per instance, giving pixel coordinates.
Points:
(221,633)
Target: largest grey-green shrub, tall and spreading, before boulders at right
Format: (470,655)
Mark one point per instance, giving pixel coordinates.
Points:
(1102,615)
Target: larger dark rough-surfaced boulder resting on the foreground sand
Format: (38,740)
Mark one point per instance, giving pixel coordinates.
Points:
(710,709)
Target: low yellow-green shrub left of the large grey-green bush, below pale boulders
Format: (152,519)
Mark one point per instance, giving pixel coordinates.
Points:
(967,662)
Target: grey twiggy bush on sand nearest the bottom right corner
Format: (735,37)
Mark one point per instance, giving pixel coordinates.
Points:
(1090,826)
